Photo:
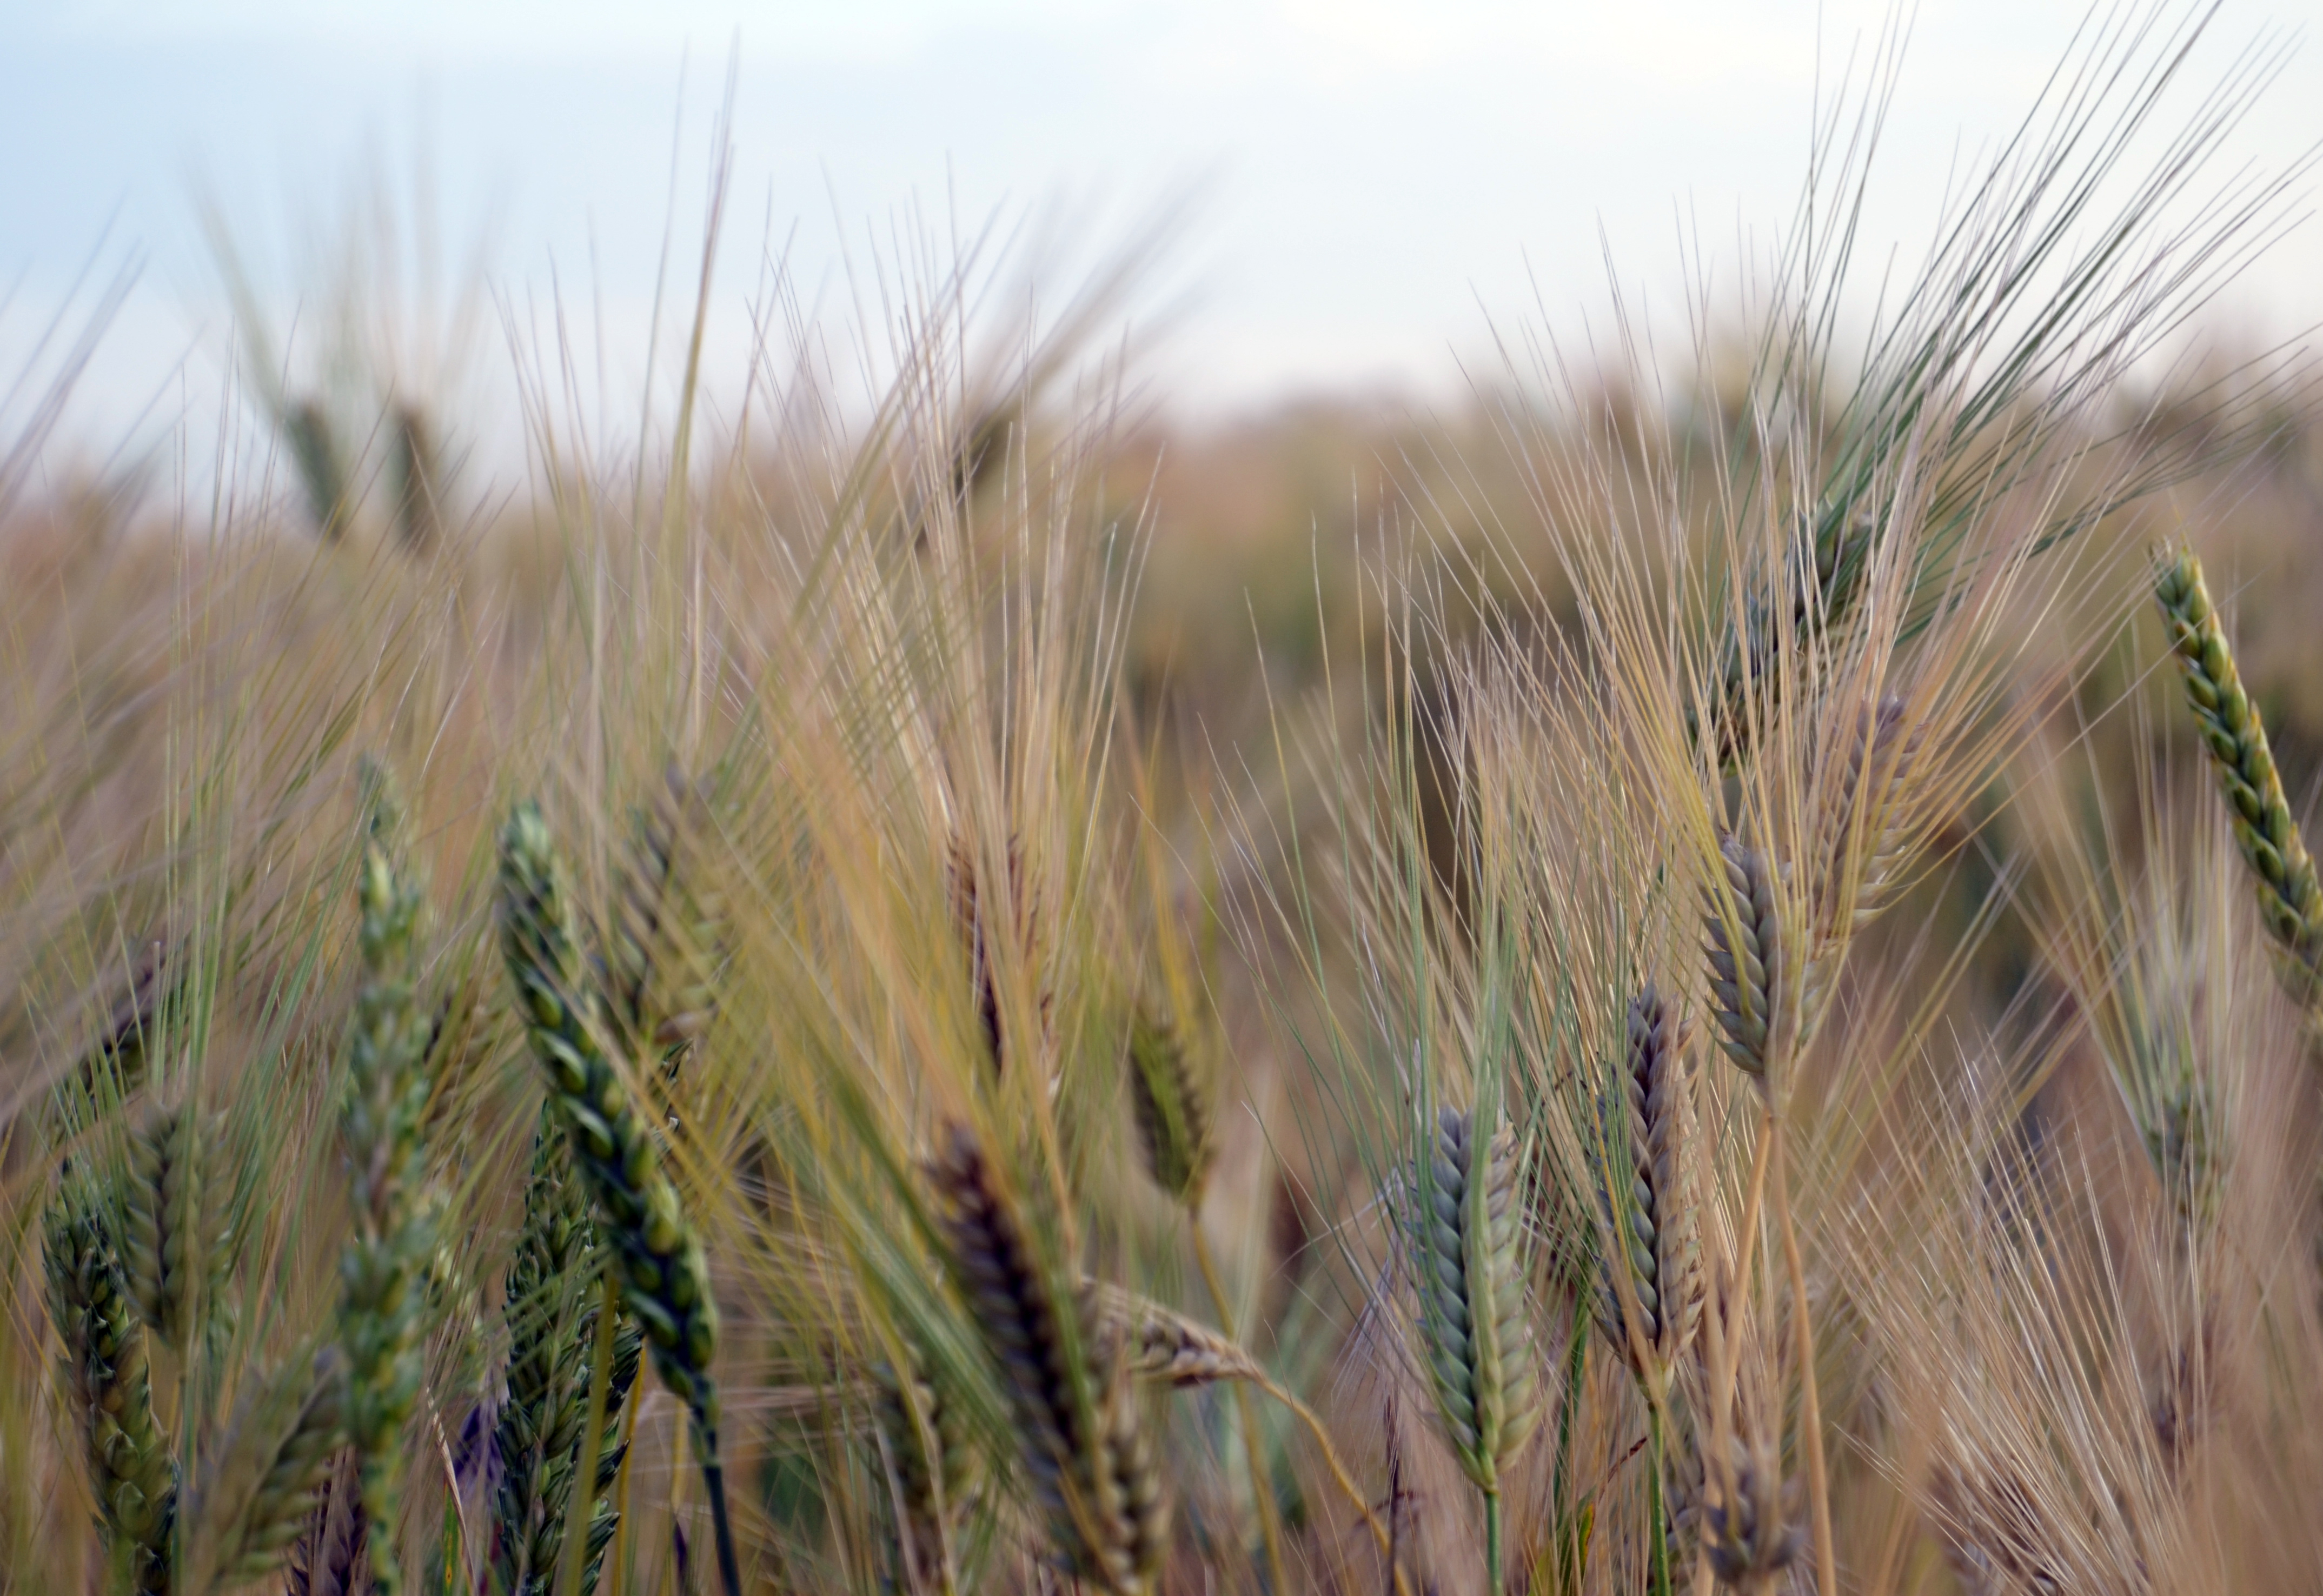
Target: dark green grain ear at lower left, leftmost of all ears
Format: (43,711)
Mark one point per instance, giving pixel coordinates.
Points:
(108,1390)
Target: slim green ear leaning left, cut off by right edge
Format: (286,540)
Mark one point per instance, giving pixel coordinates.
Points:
(2287,889)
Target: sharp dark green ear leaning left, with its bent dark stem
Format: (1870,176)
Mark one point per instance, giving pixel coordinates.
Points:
(666,1279)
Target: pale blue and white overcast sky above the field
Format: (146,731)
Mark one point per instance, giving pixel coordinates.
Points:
(1372,178)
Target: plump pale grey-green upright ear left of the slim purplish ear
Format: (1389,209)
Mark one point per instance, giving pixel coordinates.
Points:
(1462,1232)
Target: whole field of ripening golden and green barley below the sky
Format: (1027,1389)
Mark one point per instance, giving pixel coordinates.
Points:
(1695,977)
